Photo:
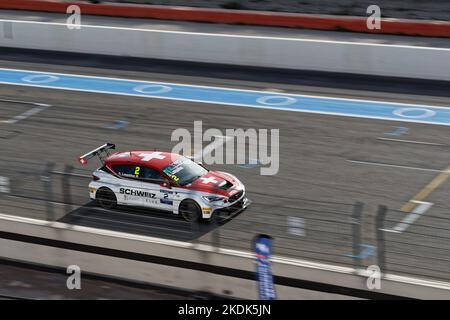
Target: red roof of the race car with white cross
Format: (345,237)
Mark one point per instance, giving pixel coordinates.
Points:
(153,158)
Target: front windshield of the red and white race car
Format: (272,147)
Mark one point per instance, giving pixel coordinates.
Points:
(184,171)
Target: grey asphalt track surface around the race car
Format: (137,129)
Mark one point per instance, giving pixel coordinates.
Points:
(326,162)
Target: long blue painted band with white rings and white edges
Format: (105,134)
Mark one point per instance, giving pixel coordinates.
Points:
(236,97)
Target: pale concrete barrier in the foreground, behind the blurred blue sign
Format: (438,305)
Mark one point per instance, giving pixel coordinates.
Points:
(191,266)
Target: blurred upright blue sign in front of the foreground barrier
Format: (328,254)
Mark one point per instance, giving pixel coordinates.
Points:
(263,250)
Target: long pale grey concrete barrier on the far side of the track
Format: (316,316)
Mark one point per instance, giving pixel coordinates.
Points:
(288,53)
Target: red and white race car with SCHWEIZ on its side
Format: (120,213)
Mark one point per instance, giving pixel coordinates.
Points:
(165,181)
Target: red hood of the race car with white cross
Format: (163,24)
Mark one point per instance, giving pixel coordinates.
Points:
(217,182)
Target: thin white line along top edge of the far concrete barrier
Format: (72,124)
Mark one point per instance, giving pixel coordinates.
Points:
(225,35)
